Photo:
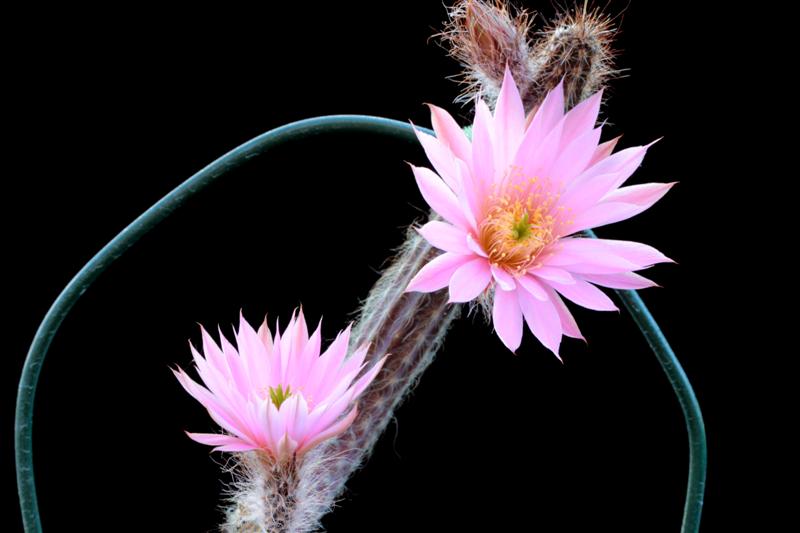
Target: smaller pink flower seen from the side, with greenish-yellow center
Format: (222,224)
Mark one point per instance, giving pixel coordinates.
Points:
(277,395)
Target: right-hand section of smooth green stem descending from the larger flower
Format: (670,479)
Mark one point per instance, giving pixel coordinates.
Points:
(693,507)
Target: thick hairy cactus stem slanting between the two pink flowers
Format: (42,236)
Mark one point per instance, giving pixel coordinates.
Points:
(408,326)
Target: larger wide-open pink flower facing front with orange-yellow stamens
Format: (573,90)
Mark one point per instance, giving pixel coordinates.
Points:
(513,200)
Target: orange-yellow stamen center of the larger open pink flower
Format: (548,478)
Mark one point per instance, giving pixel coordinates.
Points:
(514,231)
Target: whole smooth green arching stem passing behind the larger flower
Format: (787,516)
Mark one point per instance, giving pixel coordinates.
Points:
(23,429)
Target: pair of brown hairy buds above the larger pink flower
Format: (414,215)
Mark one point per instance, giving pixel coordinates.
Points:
(485,36)
